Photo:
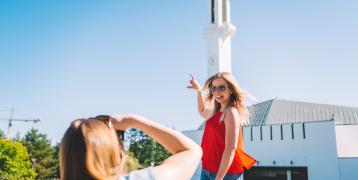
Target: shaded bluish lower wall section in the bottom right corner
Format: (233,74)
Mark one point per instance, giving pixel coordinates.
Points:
(348,168)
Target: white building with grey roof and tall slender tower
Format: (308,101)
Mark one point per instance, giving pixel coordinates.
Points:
(290,140)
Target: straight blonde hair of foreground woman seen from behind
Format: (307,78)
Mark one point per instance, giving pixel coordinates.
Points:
(90,149)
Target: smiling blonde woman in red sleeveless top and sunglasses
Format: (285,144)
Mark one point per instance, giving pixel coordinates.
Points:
(225,112)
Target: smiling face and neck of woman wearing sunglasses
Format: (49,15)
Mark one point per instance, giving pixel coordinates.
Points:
(221,97)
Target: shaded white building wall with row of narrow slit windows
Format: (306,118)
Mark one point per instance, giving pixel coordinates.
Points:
(317,151)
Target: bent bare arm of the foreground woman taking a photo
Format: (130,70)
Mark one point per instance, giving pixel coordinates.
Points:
(186,153)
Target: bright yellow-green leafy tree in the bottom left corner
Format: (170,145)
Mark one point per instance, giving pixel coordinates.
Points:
(14,161)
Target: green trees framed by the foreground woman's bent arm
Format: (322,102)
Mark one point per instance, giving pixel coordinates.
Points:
(146,150)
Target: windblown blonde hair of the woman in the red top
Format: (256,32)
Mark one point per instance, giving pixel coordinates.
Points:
(237,97)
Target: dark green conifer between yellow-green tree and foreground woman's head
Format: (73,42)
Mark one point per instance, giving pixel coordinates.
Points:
(41,152)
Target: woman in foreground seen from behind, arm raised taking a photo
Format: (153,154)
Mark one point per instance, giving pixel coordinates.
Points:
(90,149)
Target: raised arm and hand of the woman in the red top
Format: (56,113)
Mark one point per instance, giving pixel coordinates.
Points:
(202,109)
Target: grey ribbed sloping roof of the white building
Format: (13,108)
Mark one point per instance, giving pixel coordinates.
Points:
(278,111)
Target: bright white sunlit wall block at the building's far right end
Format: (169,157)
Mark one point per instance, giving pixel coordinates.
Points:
(347,141)
